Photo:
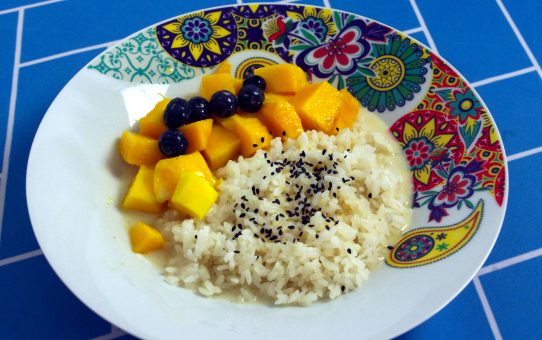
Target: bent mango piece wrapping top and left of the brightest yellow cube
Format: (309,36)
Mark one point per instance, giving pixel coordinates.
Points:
(168,170)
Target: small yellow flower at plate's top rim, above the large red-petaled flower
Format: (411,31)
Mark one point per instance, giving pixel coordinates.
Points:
(318,21)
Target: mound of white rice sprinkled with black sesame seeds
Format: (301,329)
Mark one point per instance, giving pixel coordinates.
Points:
(302,221)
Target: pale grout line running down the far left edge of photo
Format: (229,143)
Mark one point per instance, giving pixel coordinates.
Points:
(11,116)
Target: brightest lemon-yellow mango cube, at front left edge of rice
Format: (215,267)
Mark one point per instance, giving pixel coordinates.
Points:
(193,195)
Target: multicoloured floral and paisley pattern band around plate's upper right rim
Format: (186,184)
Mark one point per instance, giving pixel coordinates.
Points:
(449,139)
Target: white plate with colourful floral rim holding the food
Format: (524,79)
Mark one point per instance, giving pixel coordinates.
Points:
(75,180)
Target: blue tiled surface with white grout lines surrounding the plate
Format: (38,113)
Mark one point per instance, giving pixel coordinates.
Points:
(495,44)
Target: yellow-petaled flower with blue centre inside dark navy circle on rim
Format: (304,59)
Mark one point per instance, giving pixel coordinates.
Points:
(198,32)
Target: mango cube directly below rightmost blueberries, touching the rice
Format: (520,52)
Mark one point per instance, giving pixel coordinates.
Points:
(252,133)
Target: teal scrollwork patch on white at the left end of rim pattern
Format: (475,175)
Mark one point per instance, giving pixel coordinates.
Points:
(140,59)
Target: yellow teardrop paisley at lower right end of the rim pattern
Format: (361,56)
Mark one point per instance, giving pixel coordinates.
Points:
(430,244)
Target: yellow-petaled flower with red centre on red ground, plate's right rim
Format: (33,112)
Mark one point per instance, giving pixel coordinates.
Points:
(415,140)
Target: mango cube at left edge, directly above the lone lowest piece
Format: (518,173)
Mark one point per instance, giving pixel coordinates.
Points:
(140,195)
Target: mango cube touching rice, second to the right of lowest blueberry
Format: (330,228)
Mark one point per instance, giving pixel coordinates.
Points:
(223,145)
